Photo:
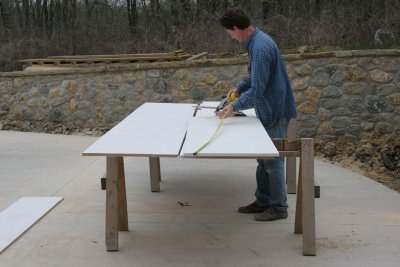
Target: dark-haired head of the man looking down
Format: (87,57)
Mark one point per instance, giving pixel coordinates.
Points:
(236,23)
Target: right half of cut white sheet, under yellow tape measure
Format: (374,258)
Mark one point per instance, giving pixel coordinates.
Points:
(242,137)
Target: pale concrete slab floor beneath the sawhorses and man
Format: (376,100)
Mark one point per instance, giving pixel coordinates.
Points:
(358,220)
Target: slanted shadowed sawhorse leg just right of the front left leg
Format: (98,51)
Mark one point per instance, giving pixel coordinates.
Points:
(122,206)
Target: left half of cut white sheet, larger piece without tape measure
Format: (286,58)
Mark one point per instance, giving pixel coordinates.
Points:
(154,129)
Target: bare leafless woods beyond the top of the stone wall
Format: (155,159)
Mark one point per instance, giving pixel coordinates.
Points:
(41,28)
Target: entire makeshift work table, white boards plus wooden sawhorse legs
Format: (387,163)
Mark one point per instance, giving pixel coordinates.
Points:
(157,130)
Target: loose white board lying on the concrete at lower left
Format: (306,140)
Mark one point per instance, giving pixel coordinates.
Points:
(22,215)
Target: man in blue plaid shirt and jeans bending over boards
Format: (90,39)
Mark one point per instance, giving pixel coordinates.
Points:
(267,89)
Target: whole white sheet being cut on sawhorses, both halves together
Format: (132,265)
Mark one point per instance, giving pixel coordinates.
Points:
(158,130)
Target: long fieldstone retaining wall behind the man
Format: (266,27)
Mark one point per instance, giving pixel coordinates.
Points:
(340,95)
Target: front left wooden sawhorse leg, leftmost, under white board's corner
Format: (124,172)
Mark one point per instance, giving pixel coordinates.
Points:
(112,204)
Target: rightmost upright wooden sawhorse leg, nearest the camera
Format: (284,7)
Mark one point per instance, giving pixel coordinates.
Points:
(308,211)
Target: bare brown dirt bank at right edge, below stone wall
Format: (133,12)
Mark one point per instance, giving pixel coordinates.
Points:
(377,157)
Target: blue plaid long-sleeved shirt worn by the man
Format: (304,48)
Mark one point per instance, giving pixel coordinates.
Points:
(267,89)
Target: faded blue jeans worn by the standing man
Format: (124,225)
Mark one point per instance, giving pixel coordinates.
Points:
(271,184)
